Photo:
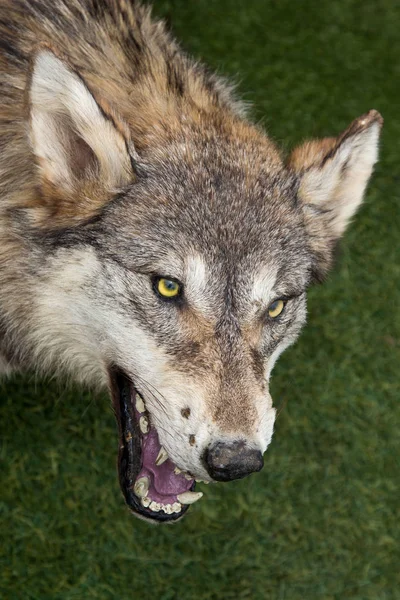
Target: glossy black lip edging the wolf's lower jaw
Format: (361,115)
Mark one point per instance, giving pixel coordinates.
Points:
(130,449)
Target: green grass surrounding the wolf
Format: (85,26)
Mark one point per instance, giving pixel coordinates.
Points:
(322,519)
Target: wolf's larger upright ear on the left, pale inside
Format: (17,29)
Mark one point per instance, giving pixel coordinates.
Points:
(82,150)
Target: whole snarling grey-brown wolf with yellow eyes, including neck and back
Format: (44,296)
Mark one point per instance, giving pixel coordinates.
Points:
(154,241)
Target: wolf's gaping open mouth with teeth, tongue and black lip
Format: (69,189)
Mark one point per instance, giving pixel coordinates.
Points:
(154,488)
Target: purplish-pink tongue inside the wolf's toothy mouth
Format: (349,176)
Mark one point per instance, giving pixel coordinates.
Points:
(165,484)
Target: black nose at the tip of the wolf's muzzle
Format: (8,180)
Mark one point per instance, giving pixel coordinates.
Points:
(234,460)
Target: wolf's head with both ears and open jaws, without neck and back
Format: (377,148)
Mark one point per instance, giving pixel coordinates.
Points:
(174,268)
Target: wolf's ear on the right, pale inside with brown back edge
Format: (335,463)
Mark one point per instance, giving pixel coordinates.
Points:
(333,174)
